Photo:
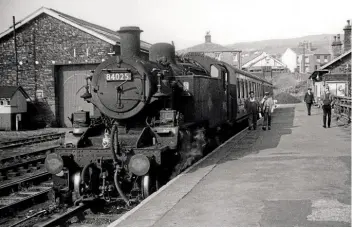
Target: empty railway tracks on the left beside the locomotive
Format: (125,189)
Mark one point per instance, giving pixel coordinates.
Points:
(24,182)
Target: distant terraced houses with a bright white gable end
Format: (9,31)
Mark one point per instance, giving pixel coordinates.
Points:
(313,58)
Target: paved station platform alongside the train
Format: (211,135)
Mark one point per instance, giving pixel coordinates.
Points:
(296,174)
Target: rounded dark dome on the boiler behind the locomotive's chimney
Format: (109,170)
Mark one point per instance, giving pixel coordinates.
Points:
(162,52)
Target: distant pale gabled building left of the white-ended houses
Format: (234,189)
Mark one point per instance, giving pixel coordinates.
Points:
(264,62)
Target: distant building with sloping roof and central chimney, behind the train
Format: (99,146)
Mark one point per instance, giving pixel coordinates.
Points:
(216,51)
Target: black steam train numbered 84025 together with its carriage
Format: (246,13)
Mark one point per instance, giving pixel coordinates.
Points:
(158,116)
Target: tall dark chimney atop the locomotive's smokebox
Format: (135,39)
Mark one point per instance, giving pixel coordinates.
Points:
(130,41)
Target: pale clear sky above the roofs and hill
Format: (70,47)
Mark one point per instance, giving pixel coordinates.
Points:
(186,21)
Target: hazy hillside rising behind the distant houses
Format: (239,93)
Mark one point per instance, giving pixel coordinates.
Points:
(278,46)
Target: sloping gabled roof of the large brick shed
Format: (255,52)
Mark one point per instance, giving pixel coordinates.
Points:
(98,31)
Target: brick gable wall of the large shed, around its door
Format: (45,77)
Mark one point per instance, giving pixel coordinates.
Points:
(46,39)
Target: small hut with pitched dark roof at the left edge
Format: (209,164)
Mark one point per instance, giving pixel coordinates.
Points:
(13,104)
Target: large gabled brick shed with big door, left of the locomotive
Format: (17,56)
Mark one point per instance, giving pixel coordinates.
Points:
(55,52)
